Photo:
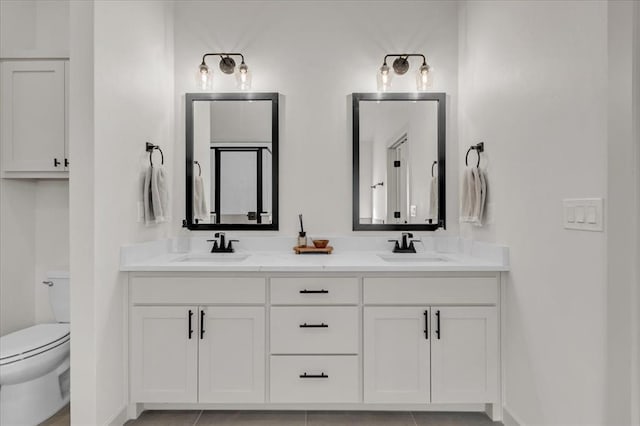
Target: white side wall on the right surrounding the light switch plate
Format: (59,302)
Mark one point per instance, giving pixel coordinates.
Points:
(534,86)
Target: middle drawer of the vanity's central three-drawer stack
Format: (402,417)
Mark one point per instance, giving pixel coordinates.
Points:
(315,330)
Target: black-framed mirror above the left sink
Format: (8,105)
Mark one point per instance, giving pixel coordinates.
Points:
(231,161)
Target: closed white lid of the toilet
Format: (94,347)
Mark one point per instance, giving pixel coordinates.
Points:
(32,340)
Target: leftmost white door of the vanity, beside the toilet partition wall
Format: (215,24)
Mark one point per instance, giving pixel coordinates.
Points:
(164,354)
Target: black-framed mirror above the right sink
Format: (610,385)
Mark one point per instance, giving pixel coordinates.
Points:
(399,146)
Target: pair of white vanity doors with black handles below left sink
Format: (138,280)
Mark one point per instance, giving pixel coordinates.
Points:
(197,354)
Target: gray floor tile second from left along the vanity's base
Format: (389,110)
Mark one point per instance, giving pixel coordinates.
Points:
(250,418)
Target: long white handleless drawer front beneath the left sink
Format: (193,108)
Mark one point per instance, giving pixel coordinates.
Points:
(198,290)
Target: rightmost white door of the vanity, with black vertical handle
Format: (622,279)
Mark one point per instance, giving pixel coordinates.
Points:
(464,354)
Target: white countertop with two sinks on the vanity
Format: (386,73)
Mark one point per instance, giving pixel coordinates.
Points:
(351,254)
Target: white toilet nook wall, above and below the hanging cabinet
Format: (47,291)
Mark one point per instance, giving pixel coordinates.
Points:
(35,214)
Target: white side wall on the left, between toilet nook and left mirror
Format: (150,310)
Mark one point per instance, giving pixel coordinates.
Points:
(130,74)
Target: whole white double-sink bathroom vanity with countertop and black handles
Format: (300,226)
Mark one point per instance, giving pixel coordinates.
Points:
(357,330)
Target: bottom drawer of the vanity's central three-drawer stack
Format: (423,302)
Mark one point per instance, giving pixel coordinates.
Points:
(340,384)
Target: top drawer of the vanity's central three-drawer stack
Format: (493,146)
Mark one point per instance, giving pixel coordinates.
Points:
(314,291)
